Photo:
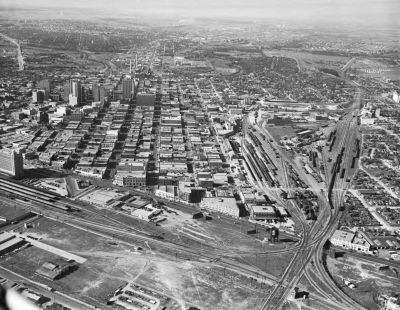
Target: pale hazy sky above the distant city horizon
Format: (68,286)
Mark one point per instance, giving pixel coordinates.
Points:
(368,12)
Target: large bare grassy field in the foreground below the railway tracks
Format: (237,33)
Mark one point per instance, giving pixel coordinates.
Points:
(111,264)
